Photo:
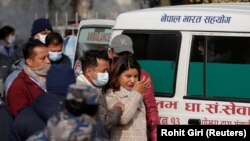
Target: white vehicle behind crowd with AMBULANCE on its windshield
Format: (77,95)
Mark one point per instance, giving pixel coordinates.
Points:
(92,34)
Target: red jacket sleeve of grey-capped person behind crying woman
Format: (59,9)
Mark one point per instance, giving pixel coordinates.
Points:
(151,109)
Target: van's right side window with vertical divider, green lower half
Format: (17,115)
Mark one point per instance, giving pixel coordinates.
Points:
(219,67)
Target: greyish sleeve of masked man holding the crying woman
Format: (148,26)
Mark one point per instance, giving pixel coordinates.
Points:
(109,117)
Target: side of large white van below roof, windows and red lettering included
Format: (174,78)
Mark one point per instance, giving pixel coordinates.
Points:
(198,77)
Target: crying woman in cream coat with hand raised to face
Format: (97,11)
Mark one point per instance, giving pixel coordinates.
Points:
(124,86)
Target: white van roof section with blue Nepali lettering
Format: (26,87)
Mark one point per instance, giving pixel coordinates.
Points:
(233,17)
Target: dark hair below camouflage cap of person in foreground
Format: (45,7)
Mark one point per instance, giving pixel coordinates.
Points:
(79,108)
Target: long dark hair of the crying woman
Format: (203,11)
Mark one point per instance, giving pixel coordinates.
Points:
(119,65)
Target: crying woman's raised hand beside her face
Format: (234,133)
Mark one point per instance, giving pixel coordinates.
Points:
(142,85)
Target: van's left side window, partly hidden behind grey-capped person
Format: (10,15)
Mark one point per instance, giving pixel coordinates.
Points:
(157,53)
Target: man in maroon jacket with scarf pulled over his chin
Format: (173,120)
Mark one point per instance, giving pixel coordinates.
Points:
(30,82)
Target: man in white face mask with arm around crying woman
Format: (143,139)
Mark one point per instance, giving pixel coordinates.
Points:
(95,68)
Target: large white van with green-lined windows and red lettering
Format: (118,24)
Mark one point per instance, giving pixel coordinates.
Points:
(198,57)
